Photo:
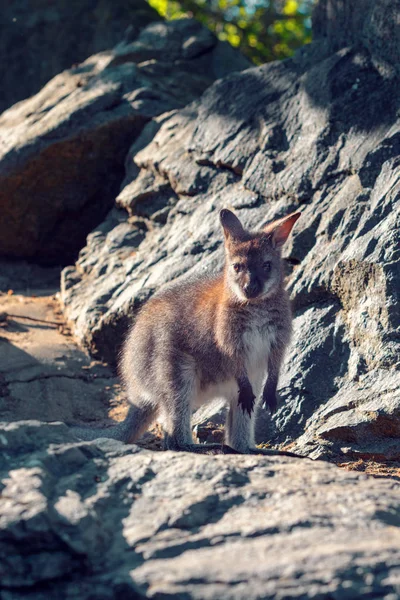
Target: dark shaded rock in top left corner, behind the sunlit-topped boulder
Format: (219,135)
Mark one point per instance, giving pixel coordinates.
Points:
(40,39)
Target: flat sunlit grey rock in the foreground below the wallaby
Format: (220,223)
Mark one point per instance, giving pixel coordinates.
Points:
(80,521)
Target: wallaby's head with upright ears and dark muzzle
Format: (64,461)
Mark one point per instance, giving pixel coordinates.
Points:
(254,267)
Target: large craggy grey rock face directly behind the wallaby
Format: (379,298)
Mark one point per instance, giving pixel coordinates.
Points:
(318,133)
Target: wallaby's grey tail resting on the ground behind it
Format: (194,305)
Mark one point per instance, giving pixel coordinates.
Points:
(135,424)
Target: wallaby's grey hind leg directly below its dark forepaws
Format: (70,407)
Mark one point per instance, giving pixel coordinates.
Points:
(239,428)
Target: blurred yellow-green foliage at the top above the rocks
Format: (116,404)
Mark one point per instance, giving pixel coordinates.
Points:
(263,29)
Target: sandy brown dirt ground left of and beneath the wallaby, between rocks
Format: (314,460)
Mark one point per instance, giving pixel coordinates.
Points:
(45,375)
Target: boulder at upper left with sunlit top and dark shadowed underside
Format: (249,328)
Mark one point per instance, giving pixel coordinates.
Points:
(62,151)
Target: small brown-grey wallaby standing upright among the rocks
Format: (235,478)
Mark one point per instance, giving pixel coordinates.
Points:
(221,336)
